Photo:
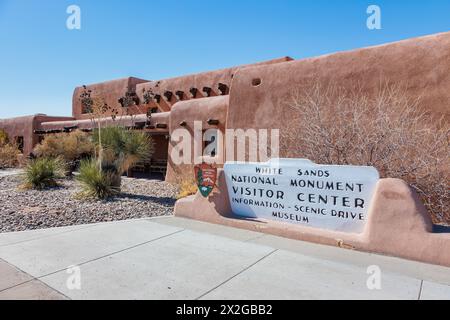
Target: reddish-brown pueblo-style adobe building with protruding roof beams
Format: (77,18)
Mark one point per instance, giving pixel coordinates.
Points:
(249,96)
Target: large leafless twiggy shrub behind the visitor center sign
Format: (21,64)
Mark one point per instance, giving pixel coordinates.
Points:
(387,130)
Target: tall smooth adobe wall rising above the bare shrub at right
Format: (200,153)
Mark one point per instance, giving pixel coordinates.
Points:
(421,65)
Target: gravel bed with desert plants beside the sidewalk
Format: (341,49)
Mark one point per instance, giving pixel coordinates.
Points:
(31,209)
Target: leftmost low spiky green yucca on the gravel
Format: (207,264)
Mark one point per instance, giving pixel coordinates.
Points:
(43,173)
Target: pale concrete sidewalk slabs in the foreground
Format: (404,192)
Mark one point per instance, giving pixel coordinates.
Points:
(174,258)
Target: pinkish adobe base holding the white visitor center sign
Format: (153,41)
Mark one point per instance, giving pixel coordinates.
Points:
(399,224)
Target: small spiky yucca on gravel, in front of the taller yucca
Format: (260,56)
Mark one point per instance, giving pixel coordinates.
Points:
(95,183)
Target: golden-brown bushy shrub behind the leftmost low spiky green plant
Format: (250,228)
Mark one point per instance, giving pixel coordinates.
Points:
(71,147)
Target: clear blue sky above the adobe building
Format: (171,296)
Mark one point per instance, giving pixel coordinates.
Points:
(41,61)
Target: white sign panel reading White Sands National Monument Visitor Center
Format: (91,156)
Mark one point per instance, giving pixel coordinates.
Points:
(302,192)
